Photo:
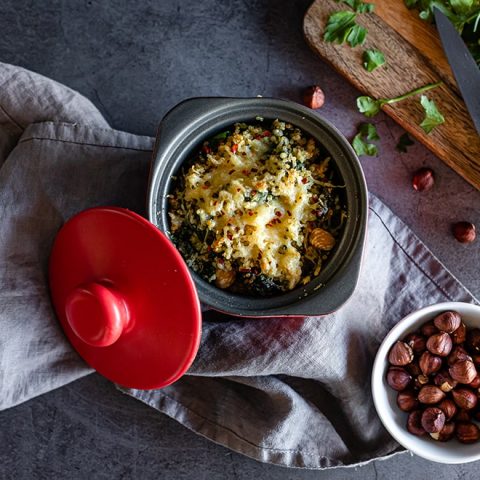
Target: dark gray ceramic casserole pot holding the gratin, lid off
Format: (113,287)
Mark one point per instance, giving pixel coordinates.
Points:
(193,121)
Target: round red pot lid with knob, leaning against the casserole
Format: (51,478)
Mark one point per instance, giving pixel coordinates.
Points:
(125,298)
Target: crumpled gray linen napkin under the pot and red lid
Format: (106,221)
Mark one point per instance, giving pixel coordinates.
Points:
(294,392)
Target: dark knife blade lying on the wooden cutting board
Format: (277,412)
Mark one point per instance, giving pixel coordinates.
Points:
(466,72)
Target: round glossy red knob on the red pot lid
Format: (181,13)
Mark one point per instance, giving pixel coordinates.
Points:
(97,314)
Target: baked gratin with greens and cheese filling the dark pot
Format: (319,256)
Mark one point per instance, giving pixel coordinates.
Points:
(258,209)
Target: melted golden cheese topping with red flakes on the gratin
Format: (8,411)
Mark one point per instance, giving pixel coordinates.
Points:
(254,194)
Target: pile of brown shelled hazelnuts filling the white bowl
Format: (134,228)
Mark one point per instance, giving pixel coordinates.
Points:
(434,371)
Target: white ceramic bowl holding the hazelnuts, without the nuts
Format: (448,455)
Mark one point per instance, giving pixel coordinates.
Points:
(384,397)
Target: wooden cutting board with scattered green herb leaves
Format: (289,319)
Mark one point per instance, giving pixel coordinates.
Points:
(415,58)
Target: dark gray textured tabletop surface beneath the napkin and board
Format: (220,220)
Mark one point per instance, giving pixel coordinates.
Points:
(135,60)
